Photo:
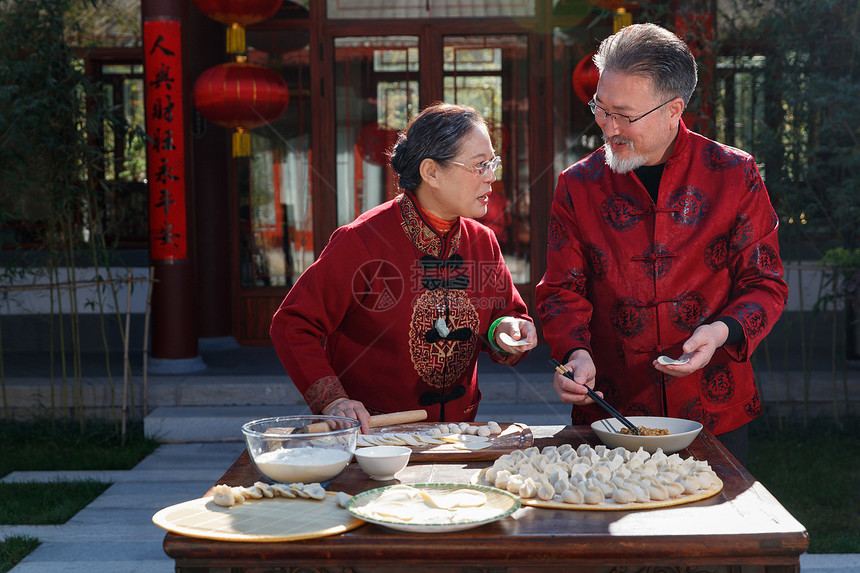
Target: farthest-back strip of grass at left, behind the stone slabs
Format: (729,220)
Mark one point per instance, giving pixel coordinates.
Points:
(62,445)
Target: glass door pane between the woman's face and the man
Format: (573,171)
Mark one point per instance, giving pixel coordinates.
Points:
(490,73)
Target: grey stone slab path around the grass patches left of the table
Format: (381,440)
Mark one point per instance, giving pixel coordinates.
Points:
(119,522)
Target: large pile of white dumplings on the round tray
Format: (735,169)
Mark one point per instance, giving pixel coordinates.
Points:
(598,475)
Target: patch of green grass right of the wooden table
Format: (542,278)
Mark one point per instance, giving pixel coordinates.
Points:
(814,472)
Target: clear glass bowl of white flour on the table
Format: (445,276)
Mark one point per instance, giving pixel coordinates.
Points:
(282,454)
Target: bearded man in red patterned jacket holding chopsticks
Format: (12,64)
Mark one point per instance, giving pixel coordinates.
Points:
(661,242)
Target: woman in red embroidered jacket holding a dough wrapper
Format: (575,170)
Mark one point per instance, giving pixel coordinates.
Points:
(394,312)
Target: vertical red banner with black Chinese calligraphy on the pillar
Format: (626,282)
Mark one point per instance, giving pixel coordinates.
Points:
(165,157)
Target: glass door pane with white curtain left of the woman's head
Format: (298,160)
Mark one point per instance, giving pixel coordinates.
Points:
(376,93)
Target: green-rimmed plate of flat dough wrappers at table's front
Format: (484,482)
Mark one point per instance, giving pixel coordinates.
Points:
(433,507)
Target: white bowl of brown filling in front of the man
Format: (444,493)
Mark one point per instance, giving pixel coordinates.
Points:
(681,433)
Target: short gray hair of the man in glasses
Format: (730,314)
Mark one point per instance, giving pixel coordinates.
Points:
(654,52)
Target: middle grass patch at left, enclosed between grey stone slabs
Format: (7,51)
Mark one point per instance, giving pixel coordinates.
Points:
(45,503)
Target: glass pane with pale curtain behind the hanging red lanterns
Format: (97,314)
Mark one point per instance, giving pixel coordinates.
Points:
(275,209)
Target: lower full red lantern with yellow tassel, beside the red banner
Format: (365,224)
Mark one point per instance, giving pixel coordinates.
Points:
(241,96)
